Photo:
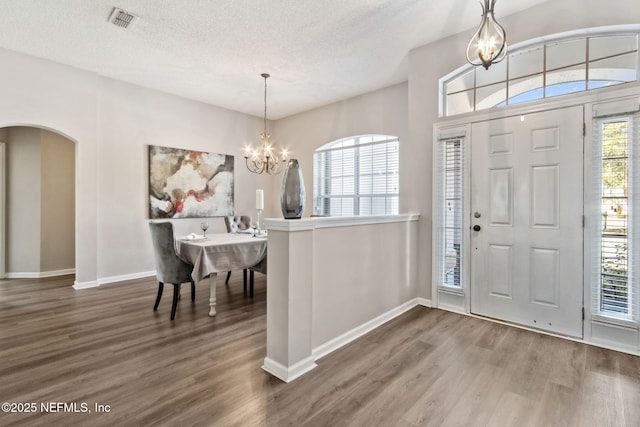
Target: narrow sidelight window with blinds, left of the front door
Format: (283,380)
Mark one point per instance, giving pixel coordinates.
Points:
(450,201)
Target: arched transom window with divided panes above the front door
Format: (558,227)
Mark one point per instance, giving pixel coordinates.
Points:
(558,66)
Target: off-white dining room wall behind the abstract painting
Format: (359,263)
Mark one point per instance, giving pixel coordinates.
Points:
(131,118)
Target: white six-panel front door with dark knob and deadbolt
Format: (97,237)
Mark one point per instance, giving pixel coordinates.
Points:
(526,220)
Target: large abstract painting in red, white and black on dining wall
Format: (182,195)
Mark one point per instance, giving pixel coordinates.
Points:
(189,184)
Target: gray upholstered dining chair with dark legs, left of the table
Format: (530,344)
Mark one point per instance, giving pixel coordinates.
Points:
(169,268)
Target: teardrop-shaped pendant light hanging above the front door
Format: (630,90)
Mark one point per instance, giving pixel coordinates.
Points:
(489,44)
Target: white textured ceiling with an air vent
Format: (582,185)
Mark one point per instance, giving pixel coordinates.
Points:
(317,51)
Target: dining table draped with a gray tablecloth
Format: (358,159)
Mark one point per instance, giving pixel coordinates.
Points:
(220,252)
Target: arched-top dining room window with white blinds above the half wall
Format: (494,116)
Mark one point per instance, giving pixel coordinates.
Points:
(357,176)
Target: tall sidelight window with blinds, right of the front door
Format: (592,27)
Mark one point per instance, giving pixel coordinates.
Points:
(617,182)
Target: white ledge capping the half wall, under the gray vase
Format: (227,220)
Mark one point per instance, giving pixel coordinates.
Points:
(311,223)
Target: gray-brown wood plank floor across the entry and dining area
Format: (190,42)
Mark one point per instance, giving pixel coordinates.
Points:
(427,367)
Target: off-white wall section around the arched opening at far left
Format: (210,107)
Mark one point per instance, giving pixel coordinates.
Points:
(38,92)
